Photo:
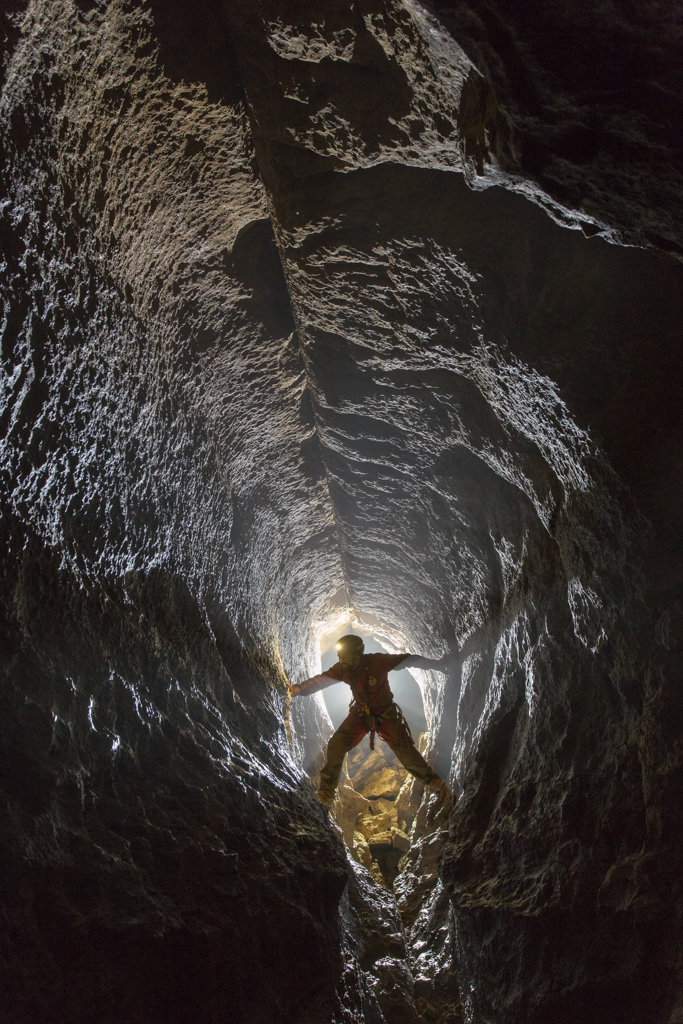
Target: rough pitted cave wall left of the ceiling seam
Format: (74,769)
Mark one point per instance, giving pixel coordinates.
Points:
(147,332)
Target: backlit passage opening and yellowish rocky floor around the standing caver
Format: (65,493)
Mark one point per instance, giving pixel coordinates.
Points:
(396,830)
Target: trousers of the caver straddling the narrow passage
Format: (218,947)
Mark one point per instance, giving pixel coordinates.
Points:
(394,732)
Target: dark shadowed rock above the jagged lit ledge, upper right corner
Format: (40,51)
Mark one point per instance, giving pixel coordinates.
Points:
(586,100)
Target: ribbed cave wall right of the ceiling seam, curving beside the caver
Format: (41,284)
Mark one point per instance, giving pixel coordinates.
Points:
(511,517)
